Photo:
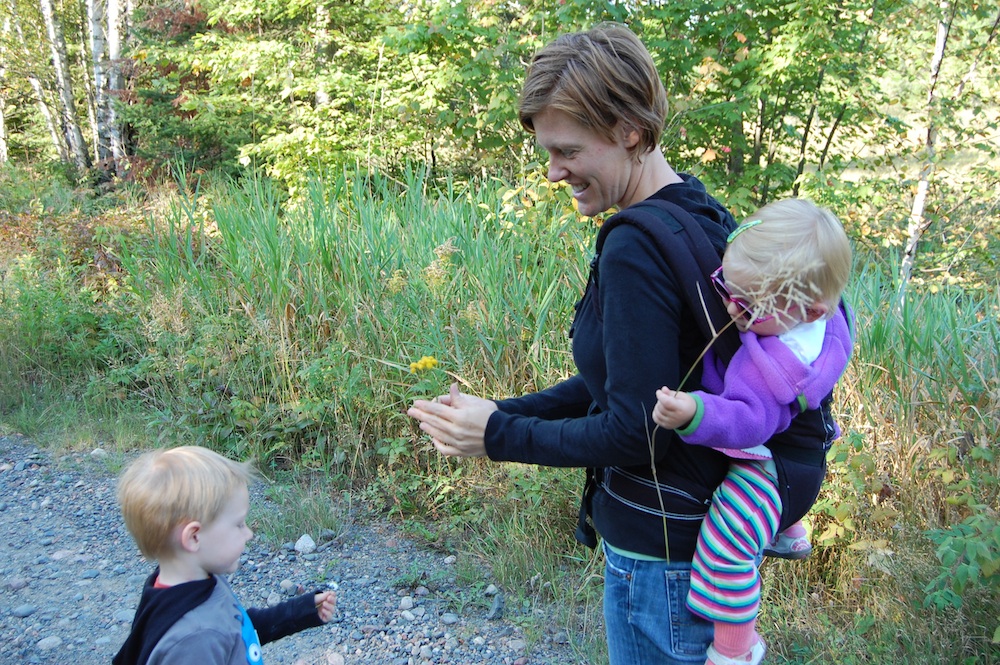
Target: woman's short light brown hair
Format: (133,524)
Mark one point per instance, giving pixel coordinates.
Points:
(603,78)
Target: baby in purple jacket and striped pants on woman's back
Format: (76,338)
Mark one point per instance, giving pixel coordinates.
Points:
(782,278)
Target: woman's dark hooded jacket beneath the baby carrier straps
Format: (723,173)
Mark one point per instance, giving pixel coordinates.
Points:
(644,337)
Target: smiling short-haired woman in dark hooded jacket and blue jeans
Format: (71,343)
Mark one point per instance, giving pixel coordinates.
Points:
(595,102)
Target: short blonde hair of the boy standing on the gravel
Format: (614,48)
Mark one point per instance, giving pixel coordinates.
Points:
(165,488)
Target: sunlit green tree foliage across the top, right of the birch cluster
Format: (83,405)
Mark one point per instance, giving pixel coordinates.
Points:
(764,96)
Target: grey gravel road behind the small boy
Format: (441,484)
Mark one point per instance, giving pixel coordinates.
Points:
(71,578)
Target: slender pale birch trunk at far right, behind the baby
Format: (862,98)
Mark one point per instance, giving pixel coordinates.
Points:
(918,222)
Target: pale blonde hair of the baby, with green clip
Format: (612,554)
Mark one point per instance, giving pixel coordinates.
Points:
(795,251)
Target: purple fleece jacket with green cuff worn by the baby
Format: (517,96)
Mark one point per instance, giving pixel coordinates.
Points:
(763,388)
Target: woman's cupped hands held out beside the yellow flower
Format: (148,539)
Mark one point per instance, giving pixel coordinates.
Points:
(456,422)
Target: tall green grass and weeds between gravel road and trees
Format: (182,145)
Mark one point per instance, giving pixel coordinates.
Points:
(283,331)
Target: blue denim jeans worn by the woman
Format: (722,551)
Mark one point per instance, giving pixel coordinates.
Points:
(646,615)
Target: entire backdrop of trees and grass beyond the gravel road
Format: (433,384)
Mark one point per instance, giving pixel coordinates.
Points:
(266,227)
